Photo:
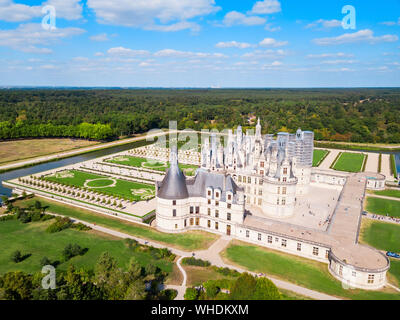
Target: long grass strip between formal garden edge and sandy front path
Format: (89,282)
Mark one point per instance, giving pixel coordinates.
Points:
(186,241)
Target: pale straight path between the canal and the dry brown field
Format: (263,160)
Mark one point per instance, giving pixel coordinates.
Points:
(72,153)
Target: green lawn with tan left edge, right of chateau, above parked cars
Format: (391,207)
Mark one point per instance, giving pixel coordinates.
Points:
(381,235)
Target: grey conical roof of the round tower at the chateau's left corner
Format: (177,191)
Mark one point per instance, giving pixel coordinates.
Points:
(173,187)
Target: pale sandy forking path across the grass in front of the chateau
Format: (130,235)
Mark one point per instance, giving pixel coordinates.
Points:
(212,254)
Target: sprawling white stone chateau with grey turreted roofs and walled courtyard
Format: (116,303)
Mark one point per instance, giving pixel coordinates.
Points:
(265,191)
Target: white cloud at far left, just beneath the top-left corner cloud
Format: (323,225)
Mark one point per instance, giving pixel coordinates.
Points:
(26,37)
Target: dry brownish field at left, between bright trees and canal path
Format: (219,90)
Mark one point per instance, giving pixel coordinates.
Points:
(11,151)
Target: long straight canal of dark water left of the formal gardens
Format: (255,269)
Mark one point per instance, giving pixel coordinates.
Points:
(63,162)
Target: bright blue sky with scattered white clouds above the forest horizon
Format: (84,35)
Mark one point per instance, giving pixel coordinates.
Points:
(200,43)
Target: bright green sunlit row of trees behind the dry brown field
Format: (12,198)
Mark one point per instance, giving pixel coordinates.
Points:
(23,129)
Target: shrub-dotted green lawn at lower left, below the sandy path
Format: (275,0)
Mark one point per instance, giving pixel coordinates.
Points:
(32,239)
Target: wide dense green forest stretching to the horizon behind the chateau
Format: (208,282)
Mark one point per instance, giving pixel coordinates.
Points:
(351,115)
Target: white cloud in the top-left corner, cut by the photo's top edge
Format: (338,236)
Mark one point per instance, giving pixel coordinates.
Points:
(15,12)
